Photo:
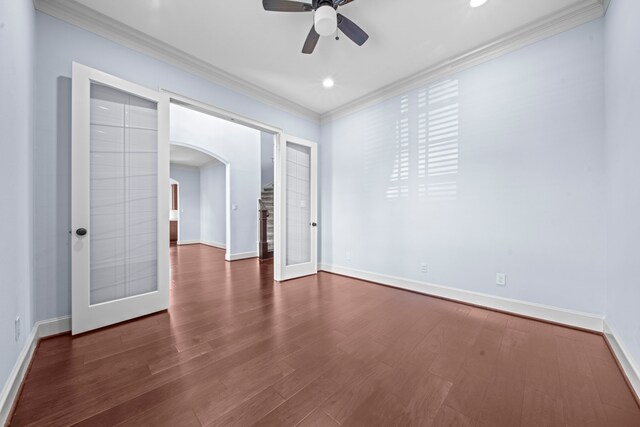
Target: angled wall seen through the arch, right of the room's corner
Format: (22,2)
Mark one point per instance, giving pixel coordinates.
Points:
(213,203)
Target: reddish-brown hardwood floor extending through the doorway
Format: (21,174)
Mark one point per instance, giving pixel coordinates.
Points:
(238,349)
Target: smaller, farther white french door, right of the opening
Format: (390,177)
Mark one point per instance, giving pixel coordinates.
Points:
(296,208)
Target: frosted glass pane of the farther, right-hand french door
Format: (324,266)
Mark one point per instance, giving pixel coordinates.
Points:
(298,232)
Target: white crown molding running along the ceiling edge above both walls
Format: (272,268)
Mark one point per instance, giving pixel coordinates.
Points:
(84,17)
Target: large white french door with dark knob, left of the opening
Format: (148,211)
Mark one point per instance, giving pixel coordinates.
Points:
(120,202)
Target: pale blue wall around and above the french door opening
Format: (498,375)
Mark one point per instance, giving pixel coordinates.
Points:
(57,45)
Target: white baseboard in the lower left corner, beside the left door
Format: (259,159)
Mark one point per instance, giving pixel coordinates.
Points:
(11,388)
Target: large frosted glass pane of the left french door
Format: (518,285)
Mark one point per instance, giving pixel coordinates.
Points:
(123,195)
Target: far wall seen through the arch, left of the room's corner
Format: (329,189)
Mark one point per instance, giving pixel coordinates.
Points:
(188,178)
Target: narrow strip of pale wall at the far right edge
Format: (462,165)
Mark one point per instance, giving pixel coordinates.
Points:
(622,65)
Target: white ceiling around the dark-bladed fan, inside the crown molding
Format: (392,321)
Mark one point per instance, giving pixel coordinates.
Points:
(263,48)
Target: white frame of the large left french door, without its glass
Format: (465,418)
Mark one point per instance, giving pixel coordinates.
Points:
(85,316)
